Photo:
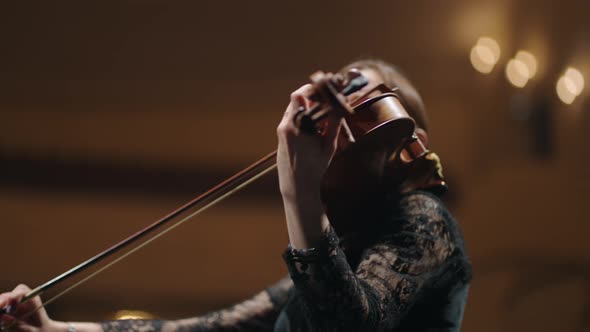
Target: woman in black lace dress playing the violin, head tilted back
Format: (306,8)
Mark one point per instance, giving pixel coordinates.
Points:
(393,262)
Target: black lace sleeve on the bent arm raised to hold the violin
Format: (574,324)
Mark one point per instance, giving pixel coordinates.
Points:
(388,279)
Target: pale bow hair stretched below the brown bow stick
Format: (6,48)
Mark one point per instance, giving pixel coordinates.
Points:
(150,240)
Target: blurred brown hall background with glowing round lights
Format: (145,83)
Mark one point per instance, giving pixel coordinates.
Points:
(113,113)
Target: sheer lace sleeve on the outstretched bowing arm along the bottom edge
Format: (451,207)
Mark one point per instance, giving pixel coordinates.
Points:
(255,314)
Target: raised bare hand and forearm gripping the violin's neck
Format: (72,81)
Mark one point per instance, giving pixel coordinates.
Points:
(302,159)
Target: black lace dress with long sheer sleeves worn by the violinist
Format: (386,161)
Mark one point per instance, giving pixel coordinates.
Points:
(411,273)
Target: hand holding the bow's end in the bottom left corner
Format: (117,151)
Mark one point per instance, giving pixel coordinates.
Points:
(28,316)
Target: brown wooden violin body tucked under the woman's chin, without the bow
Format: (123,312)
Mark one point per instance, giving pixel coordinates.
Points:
(378,156)
